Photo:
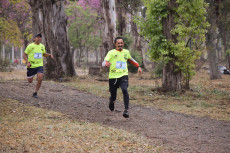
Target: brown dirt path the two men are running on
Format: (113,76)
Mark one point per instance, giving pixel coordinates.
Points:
(184,133)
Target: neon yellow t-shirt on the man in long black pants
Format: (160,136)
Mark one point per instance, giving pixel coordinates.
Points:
(118,60)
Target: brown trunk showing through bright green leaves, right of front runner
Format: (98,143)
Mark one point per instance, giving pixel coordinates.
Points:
(171,80)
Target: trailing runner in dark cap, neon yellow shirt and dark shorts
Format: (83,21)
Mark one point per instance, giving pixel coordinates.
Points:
(35,52)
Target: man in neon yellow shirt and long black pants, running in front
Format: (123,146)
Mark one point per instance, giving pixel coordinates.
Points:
(116,60)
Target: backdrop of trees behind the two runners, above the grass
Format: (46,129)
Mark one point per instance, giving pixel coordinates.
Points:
(169,38)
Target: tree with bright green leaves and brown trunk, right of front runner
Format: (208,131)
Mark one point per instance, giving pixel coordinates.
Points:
(169,26)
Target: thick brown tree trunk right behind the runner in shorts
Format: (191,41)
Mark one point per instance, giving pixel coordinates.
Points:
(49,18)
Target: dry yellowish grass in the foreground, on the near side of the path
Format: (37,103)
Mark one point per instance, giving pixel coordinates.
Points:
(29,129)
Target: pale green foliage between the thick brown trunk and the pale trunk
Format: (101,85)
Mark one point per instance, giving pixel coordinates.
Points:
(82,23)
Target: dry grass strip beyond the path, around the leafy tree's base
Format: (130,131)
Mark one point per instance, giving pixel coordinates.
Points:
(207,98)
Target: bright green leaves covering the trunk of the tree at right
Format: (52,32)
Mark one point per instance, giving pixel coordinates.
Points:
(190,25)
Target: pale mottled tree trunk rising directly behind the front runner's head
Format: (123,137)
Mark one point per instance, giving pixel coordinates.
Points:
(108,24)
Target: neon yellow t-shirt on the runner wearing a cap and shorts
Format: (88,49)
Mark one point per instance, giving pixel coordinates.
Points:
(35,54)
